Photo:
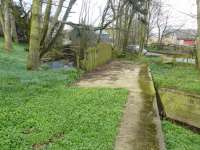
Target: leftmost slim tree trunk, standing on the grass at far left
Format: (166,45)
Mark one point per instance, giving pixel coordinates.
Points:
(7,26)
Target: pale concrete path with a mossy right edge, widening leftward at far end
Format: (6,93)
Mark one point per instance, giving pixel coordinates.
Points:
(140,126)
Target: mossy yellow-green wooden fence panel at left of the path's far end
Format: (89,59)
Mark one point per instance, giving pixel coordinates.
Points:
(97,56)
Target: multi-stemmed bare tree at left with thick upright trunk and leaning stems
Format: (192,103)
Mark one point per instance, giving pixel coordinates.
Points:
(43,33)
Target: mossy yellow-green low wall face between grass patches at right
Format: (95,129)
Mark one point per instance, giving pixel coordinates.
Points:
(181,106)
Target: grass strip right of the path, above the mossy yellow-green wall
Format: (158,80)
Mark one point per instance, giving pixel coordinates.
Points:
(178,76)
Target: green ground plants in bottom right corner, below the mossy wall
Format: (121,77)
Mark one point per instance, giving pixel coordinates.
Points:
(178,138)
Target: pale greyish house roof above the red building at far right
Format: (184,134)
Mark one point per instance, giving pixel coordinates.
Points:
(187,34)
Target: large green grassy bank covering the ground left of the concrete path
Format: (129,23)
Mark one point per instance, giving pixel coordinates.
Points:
(40,109)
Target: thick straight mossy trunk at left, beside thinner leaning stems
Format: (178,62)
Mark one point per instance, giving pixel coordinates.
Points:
(34,45)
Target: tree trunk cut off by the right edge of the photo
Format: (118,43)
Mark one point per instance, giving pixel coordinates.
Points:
(198,36)
